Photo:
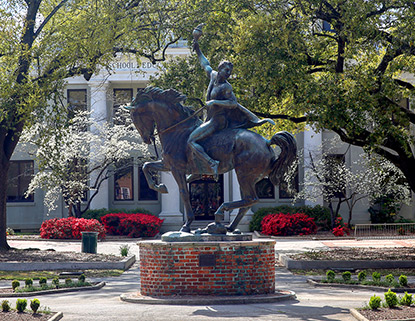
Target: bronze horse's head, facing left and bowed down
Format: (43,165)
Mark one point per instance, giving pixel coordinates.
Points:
(142,116)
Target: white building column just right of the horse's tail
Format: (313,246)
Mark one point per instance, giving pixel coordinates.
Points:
(312,143)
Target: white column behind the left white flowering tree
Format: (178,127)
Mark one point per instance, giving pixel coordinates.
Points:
(98,93)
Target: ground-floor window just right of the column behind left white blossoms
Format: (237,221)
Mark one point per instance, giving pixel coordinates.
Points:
(123,181)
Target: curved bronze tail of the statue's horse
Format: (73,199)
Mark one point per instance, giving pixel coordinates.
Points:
(288,145)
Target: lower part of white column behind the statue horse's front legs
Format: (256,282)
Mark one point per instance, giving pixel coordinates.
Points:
(170,204)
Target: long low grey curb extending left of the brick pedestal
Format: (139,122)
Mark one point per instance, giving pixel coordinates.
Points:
(125,264)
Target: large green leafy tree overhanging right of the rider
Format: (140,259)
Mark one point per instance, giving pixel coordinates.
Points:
(340,65)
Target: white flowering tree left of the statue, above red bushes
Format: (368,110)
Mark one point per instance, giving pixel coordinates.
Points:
(76,159)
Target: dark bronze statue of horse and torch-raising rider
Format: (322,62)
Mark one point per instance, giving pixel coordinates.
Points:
(192,148)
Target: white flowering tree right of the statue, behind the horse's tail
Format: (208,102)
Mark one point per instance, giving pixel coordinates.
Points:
(327,176)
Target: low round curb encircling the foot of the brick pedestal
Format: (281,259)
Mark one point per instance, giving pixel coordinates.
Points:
(279,295)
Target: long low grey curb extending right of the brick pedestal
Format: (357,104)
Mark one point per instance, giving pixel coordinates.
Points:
(357,264)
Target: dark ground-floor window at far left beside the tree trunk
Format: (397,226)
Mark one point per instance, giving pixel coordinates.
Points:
(20,174)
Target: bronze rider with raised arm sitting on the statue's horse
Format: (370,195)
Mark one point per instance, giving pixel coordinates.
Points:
(223,110)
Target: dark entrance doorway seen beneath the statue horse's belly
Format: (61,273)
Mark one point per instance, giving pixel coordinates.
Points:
(206,195)
